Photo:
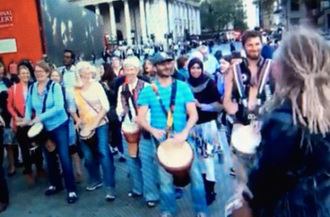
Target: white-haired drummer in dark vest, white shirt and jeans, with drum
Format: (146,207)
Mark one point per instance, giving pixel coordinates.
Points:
(137,147)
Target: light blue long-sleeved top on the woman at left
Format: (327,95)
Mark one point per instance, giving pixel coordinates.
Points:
(55,114)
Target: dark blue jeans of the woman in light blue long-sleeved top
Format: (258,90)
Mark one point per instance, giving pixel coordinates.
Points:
(60,136)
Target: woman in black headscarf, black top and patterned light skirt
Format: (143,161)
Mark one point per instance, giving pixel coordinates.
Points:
(205,133)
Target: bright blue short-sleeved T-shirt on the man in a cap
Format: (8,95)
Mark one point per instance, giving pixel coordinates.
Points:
(184,95)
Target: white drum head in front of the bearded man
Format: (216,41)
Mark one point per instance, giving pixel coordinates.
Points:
(245,139)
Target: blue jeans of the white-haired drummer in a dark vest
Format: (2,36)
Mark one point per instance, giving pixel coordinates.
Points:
(143,170)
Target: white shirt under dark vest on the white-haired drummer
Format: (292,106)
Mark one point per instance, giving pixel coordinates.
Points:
(120,109)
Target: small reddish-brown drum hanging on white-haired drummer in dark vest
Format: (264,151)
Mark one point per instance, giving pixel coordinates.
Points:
(132,134)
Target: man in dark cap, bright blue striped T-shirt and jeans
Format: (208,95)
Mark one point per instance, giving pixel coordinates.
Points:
(184,106)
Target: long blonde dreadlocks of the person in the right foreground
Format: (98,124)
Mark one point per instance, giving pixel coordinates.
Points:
(303,58)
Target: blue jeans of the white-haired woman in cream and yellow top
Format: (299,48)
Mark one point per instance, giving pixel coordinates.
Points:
(104,158)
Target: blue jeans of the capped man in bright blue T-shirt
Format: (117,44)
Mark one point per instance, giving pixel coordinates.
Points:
(167,189)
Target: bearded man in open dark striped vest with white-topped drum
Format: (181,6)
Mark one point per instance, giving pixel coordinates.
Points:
(247,87)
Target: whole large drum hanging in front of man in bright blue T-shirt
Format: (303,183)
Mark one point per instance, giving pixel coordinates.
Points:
(177,159)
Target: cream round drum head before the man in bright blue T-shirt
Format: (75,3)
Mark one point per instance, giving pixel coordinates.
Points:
(174,155)
